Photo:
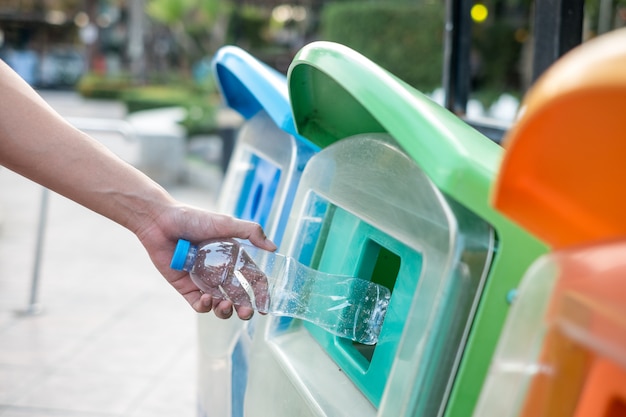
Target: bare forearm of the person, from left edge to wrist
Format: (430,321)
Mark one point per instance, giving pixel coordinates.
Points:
(37,143)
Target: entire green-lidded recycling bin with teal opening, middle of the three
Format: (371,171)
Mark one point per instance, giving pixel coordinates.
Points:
(399,194)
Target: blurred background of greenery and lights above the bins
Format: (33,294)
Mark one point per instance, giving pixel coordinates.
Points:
(157,53)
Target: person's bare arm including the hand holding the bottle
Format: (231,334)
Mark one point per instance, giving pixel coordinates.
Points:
(39,144)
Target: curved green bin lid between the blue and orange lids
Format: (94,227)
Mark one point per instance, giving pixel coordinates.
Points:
(336,92)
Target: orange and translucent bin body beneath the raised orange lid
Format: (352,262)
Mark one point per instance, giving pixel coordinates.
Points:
(563,350)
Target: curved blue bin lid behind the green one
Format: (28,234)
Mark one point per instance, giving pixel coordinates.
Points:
(248,86)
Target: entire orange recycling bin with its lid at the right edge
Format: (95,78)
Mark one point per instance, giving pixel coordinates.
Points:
(563,349)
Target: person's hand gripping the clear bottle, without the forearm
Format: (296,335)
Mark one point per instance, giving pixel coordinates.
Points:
(160,236)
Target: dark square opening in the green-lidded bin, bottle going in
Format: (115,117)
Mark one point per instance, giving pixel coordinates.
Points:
(379,265)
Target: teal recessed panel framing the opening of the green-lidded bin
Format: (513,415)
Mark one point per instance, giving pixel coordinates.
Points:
(352,247)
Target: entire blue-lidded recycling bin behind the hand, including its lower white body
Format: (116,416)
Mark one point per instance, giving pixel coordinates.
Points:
(259,185)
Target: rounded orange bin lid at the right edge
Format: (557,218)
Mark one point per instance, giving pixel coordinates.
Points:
(563,176)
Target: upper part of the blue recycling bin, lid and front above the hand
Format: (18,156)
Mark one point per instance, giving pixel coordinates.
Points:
(269,155)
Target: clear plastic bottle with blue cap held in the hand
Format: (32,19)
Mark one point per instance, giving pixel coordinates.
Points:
(272,283)
